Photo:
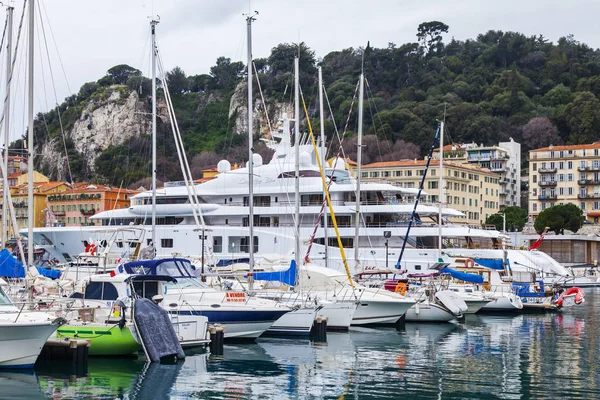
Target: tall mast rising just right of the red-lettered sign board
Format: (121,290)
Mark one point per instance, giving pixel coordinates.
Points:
(249,20)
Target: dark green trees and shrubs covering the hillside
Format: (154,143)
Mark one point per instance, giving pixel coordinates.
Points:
(496,86)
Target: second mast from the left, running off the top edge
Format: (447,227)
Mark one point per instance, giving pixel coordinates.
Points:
(30,134)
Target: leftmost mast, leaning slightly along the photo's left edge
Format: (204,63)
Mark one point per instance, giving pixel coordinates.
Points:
(7,124)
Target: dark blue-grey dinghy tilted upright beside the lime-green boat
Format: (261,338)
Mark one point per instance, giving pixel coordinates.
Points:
(155,330)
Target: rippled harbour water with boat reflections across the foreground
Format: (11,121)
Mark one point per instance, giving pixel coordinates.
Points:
(521,356)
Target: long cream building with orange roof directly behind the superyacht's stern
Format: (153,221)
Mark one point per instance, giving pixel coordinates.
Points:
(470,189)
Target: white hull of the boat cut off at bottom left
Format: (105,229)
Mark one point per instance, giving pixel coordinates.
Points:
(21,343)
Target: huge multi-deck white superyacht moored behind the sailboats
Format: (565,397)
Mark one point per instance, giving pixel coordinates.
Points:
(223,205)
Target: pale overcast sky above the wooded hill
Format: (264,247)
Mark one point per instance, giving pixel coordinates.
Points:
(92,36)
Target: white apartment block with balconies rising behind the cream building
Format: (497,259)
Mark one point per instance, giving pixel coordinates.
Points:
(503,159)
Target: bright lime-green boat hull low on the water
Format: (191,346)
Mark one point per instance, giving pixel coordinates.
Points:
(105,339)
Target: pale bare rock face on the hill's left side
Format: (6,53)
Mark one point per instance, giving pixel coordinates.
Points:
(109,122)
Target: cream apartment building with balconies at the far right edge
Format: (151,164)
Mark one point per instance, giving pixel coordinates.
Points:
(563,175)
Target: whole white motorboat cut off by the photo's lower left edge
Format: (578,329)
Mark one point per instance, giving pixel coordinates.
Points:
(22,333)
